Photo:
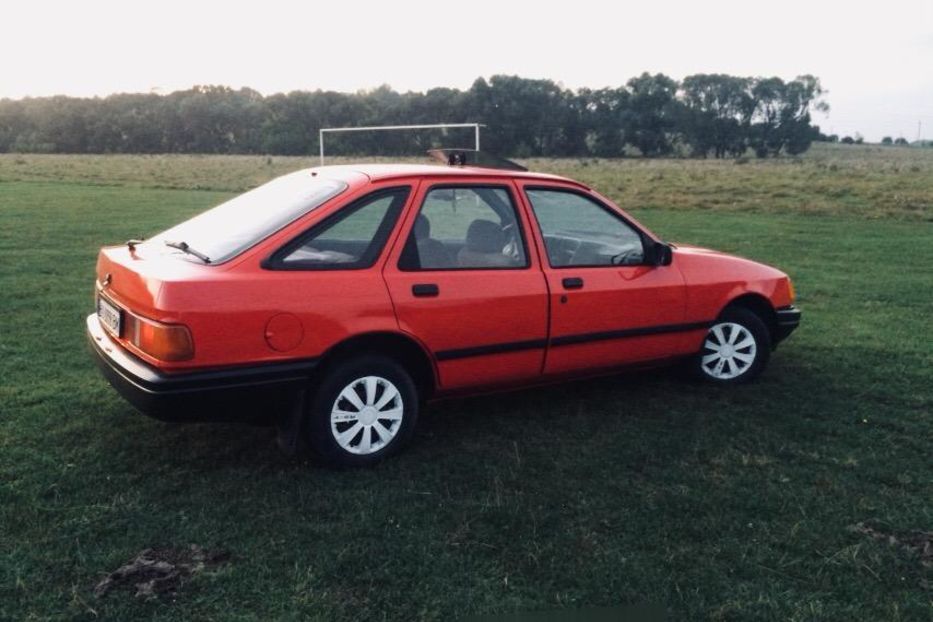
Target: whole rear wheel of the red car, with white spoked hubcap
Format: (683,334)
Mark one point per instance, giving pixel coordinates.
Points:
(363,411)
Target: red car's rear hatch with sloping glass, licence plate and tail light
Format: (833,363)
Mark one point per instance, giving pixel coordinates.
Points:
(140,290)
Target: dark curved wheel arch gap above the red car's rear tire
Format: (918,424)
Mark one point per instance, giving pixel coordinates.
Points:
(402,348)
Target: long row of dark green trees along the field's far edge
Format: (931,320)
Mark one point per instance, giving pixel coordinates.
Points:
(650,115)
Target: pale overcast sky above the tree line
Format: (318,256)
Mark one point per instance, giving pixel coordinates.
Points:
(875,59)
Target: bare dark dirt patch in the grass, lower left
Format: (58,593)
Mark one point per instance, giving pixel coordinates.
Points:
(158,572)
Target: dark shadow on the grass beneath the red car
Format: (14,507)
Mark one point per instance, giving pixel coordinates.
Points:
(665,400)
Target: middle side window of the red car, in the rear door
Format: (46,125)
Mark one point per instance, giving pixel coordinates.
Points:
(465,227)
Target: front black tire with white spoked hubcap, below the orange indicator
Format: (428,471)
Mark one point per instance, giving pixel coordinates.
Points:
(744,370)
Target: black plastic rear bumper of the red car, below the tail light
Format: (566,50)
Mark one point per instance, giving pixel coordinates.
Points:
(232,394)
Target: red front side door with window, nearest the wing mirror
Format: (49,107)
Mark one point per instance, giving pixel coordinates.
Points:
(608,307)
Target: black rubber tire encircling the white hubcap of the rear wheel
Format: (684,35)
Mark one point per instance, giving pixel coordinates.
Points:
(319,431)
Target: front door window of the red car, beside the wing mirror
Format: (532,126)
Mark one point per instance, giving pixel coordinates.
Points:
(580,232)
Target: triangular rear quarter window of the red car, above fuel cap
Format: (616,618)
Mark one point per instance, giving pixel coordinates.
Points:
(350,239)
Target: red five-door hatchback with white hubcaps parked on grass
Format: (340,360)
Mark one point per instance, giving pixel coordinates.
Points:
(336,300)
